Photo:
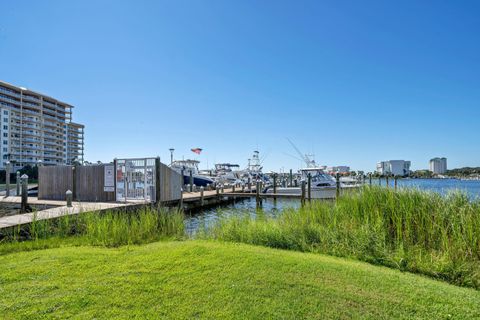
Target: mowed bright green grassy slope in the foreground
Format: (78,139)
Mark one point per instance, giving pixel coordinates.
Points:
(196,279)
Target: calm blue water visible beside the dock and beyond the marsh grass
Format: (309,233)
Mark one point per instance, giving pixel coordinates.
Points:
(207,217)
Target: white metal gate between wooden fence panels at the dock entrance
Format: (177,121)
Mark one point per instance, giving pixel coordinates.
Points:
(135,179)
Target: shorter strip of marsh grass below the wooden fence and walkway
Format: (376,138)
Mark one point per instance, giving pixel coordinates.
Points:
(110,229)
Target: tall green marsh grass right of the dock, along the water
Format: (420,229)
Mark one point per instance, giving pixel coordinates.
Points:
(408,229)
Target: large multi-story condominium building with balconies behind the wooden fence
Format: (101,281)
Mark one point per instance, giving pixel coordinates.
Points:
(37,129)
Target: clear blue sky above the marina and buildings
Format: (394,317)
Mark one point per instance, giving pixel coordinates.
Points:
(354,82)
